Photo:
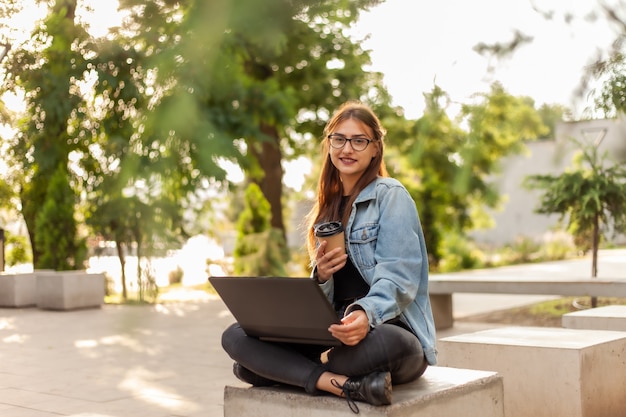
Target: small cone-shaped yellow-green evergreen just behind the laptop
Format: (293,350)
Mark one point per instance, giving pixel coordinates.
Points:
(259,249)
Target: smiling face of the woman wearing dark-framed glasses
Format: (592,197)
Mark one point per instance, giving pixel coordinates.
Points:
(352,164)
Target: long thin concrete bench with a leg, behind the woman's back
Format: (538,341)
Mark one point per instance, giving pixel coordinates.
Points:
(441,289)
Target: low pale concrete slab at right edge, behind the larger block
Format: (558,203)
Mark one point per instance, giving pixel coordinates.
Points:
(599,318)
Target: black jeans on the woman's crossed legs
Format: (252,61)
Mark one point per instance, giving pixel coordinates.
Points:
(387,347)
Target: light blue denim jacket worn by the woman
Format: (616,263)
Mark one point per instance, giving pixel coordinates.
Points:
(385,241)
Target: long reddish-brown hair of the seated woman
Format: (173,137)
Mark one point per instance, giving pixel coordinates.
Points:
(329,187)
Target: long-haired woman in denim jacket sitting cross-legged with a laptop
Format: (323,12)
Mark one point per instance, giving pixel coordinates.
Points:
(379,288)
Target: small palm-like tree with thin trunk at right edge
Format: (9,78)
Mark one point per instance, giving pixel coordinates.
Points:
(592,195)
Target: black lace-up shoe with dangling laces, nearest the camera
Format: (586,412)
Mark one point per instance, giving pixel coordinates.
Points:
(374,389)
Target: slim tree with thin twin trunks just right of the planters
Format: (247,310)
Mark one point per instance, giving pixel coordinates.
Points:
(130,198)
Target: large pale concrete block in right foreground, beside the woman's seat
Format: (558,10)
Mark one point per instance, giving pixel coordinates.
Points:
(548,371)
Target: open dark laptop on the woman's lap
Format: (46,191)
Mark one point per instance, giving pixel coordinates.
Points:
(279,309)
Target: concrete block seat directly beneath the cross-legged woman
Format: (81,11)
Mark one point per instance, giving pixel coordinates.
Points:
(439,392)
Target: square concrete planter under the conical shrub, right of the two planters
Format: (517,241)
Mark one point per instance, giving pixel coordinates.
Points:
(70,290)
